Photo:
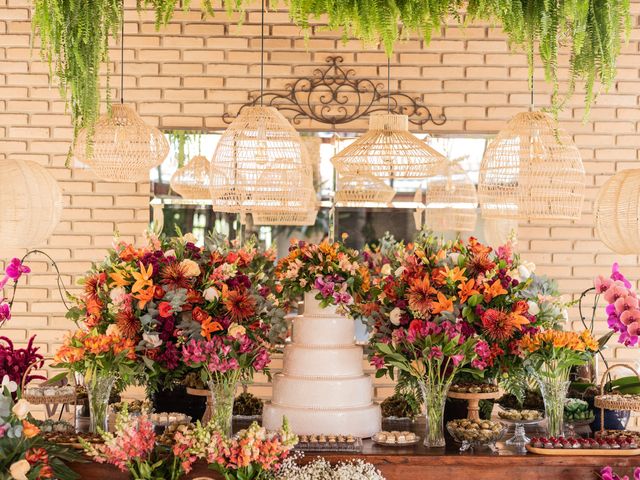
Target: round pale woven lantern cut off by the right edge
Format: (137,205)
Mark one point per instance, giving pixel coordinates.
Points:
(617,212)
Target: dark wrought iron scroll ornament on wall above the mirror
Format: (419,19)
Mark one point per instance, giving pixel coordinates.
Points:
(333,96)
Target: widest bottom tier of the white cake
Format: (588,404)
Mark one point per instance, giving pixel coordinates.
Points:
(361,422)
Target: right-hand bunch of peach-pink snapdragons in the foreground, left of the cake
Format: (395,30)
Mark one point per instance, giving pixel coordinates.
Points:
(250,454)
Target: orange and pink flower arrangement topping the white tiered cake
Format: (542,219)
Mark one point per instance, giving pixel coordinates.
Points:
(330,268)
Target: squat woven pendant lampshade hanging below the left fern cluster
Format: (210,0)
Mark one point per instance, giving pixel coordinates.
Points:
(123,148)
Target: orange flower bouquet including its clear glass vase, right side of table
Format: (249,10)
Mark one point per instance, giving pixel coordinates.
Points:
(549,356)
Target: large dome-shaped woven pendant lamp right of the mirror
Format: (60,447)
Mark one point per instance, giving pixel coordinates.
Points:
(532,170)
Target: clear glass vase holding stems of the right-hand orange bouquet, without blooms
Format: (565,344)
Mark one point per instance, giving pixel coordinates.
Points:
(554,385)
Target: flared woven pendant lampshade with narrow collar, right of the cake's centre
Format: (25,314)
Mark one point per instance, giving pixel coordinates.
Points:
(387,151)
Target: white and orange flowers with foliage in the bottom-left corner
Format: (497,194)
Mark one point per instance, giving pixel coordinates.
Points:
(24,454)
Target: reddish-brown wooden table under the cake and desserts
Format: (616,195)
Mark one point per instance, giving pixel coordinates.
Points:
(420,463)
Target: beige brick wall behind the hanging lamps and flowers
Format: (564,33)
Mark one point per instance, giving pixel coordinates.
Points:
(190,73)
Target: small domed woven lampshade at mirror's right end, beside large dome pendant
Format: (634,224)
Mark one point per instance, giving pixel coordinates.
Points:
(451,200)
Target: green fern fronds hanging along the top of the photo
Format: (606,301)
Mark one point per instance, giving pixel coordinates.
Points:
(75,34)
